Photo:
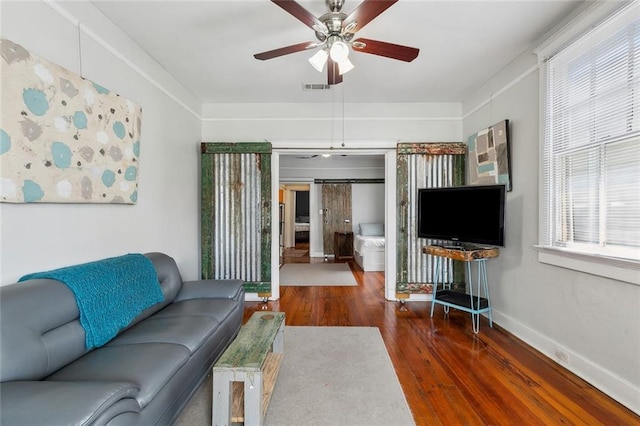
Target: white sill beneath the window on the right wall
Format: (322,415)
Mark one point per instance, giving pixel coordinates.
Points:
(617,269)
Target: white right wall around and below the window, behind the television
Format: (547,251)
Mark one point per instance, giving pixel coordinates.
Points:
(594,320)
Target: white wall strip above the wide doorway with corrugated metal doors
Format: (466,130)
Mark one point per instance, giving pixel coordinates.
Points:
(320,125)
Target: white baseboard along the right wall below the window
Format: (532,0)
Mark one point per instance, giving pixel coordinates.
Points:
(621,390)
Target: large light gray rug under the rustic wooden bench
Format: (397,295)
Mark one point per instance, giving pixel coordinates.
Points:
(329,376)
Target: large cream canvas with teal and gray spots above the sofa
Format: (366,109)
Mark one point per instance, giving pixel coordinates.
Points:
(63,138)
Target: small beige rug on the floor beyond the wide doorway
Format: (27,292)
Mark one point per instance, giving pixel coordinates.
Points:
(310,274)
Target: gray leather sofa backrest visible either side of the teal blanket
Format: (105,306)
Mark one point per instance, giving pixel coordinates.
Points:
(40,329)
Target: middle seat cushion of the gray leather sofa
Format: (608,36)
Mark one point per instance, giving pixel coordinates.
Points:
(189,331)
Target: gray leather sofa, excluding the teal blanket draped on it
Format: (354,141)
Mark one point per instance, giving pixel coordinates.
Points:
(143,376)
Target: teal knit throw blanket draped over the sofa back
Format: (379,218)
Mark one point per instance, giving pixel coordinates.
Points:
(109,293)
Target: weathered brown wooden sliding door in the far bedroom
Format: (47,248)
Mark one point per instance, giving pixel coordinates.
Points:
(336,210)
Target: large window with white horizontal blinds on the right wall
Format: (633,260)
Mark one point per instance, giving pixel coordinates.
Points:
(591,156)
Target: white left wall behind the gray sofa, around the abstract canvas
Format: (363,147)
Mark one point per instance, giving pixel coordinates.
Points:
(38,236)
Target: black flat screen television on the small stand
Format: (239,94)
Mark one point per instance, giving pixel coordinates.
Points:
(462,214)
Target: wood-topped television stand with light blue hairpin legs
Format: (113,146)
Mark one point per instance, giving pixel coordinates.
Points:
(475,305)
